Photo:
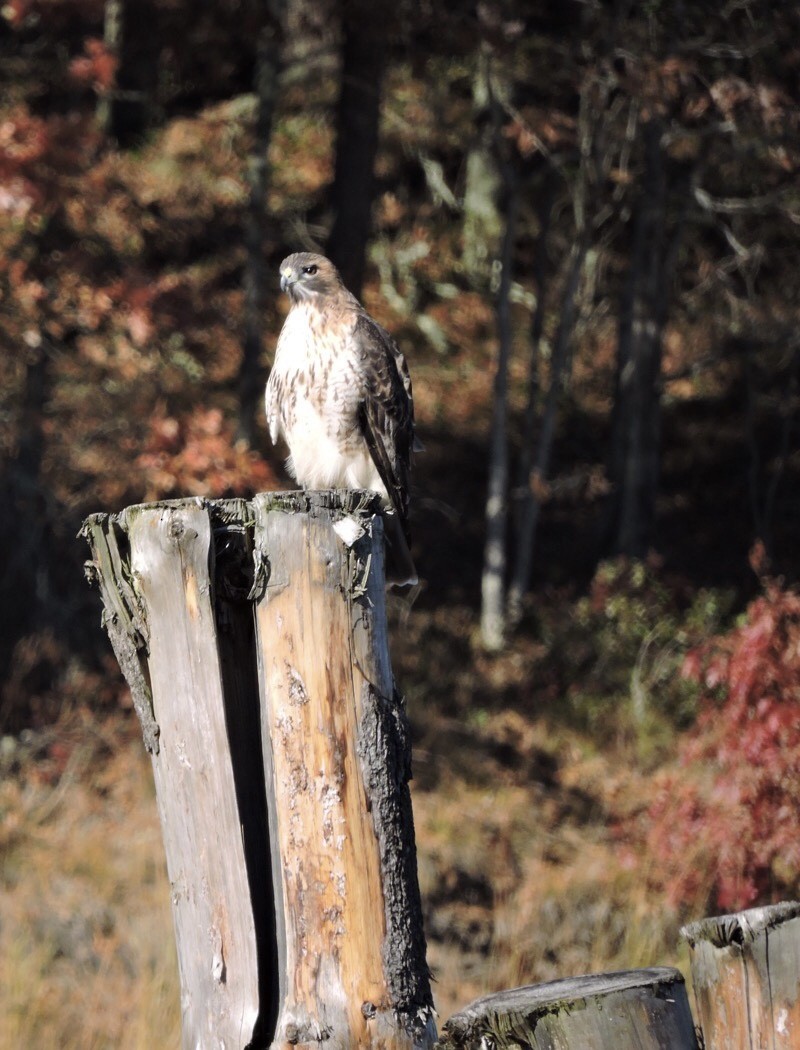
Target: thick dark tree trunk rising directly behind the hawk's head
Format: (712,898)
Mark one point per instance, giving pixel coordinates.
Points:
(357,130)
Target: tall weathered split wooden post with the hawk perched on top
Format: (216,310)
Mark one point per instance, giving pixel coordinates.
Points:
(254,638)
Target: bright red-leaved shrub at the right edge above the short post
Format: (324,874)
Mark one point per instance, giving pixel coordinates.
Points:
(728,824)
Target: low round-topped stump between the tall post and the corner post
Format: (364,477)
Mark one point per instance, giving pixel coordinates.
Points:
(647,1010)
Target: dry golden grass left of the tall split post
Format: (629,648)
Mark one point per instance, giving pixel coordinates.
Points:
(87,948)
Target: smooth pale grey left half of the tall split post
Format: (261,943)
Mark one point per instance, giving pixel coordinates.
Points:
(172,564)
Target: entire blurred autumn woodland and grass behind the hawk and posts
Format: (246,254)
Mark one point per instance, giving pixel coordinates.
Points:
(582,222)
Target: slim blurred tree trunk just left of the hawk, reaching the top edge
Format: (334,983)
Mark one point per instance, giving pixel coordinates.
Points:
(269,61)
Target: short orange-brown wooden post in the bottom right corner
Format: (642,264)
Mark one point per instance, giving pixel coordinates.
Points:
(746,972)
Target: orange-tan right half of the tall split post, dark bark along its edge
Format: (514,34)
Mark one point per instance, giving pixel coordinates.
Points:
(340,985)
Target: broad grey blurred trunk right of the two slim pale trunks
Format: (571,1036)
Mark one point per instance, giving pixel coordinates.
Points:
(635,463)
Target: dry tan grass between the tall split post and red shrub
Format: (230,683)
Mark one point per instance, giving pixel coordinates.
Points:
(525,881)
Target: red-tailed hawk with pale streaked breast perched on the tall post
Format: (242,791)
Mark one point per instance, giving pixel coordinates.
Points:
(341,395)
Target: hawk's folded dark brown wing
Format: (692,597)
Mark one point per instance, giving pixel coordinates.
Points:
(387,413)
